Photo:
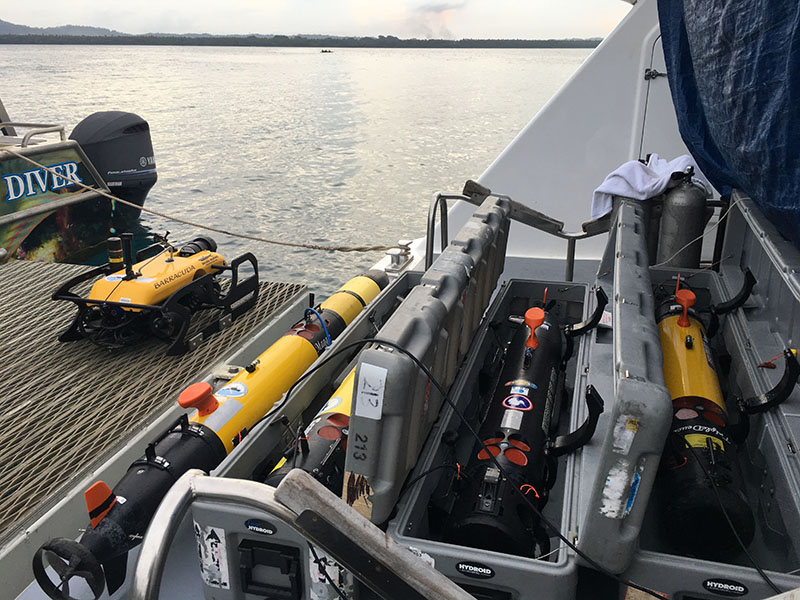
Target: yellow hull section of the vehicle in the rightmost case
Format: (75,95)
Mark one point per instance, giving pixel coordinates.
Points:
(688,371)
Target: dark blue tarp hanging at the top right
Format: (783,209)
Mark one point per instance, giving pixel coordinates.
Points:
(734,75)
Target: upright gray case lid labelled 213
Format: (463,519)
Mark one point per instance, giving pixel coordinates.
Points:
(394,403)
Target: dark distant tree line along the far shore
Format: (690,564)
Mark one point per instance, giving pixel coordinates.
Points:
(383,41)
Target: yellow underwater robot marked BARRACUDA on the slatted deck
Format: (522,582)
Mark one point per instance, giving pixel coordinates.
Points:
(157,294)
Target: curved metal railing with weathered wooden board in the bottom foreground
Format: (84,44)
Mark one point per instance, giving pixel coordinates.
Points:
(304,504)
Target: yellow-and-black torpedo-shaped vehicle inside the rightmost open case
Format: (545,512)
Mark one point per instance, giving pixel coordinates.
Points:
(701,482)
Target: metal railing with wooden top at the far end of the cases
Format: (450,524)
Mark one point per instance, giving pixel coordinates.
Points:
(474,193)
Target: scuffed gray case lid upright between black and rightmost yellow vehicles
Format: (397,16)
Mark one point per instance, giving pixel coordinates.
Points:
(617,477)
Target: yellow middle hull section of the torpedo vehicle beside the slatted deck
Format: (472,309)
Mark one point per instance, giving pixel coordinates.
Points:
(278,368)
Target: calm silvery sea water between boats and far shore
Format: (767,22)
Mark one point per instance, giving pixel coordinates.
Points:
(344,148)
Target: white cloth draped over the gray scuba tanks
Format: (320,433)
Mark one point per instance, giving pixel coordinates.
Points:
(640,182)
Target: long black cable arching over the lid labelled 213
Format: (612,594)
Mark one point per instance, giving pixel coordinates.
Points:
(474,433)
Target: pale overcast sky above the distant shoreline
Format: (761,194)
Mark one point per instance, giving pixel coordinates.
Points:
(403,18)
